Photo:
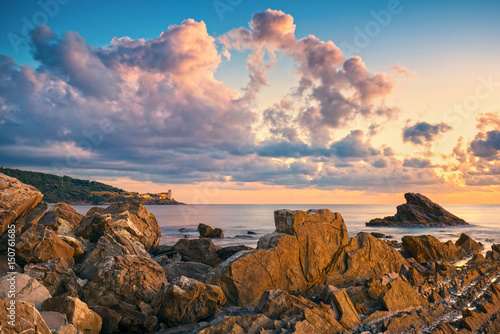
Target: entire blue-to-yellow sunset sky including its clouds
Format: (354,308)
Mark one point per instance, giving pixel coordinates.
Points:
(233,101)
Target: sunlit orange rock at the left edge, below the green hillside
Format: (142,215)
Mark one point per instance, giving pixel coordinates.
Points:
(16,200)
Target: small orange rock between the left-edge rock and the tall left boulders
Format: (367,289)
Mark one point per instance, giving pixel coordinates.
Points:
(61,218)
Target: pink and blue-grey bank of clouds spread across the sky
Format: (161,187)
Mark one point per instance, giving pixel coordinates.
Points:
(153,110)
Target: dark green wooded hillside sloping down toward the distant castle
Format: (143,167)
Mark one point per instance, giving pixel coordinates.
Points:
(67,189)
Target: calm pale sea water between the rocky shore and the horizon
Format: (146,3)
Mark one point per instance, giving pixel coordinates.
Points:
(237,219)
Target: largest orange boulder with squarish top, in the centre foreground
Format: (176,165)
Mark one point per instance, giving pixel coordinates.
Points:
(297,258)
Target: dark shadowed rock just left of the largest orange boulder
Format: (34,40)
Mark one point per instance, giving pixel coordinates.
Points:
(198,250)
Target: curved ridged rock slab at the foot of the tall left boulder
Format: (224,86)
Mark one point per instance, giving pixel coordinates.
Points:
(119,243)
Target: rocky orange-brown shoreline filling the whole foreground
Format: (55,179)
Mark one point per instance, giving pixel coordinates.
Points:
(105,272)
